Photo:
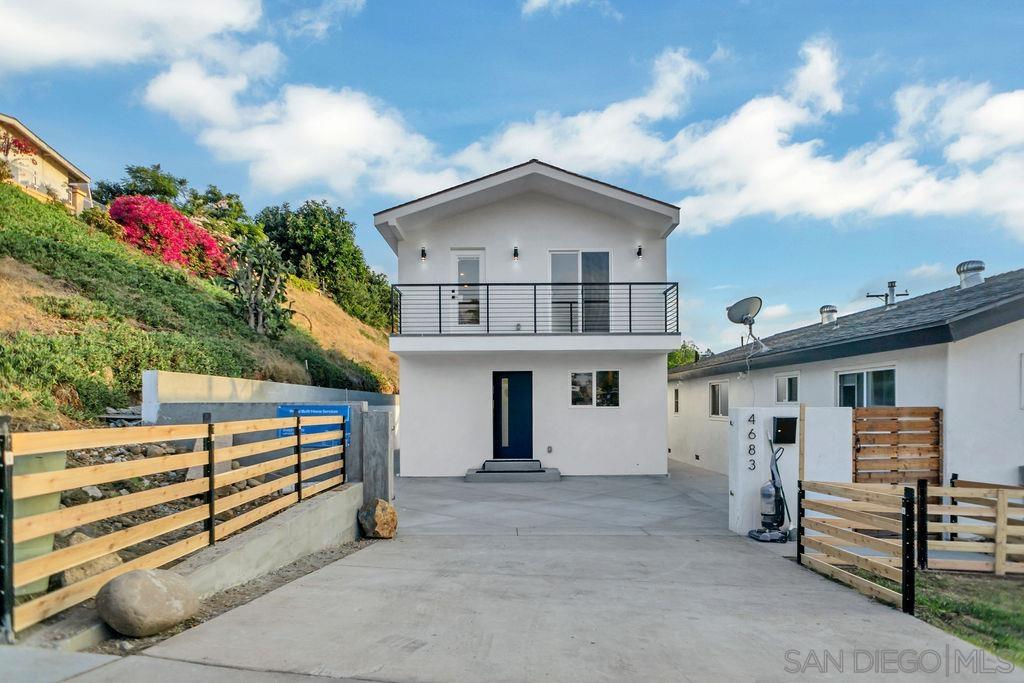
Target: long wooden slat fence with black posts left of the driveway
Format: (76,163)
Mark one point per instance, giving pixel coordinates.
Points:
(311,454)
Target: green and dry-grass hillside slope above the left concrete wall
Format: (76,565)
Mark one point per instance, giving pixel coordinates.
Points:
(84,315)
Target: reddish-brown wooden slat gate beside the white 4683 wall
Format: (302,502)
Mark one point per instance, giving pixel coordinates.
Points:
(898,445)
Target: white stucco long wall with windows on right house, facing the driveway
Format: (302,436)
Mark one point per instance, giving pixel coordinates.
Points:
(697,439)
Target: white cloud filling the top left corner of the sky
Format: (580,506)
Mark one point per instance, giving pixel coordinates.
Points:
(84,33)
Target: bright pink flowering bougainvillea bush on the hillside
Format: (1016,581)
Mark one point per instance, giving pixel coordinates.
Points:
(161,230)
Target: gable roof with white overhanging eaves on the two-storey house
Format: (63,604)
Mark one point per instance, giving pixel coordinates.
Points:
(532,176)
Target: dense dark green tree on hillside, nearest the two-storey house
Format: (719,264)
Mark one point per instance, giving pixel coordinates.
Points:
(320,241)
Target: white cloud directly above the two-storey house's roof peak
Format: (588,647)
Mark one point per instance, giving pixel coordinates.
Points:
(615,139)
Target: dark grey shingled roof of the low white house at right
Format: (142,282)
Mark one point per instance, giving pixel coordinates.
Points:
(935,318)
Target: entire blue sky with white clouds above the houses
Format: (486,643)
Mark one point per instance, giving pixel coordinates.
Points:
(818,149)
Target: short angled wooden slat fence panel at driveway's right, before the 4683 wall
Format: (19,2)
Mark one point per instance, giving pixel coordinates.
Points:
(832,538)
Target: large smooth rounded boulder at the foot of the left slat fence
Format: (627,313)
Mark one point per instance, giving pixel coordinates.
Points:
(144,603)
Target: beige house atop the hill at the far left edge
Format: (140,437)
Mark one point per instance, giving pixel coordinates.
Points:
(44,168)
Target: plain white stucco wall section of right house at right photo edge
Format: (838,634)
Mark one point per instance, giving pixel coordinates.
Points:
(985,414)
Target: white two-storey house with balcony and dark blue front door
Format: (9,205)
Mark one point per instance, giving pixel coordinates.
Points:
(533,321)
